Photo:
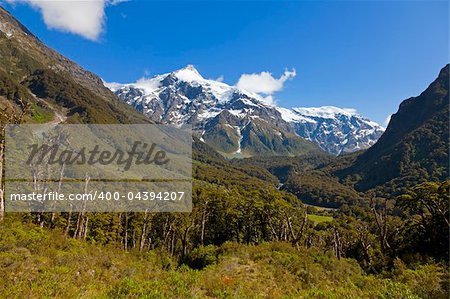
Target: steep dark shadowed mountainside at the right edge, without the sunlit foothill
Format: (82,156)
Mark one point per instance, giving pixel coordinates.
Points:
(414,147)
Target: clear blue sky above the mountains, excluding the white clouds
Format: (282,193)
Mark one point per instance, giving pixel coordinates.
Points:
(360,54)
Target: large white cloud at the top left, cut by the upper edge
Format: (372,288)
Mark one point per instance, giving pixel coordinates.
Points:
(81,17)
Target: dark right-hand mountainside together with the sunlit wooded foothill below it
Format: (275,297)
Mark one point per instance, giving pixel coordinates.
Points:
(413,149)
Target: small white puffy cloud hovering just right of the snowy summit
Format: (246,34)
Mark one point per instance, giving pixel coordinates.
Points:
(264,84)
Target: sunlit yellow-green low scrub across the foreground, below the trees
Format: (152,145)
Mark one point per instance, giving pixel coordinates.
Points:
(37,263)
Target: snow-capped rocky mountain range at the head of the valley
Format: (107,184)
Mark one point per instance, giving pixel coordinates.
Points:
(229,118)
